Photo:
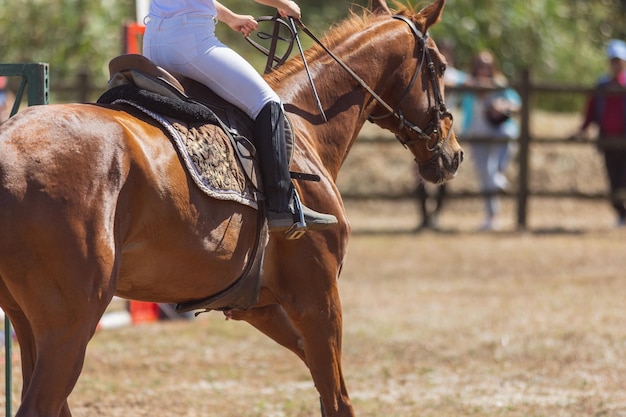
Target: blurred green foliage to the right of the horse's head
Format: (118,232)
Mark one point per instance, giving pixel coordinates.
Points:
(558,40)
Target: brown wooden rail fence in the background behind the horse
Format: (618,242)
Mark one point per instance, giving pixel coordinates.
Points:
(84,90)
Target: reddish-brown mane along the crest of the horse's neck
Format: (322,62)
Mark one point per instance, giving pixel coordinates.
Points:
(353,23)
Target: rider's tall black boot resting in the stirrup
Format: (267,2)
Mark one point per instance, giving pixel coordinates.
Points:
(269,139)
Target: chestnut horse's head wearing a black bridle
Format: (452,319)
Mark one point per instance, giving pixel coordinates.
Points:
(416,112)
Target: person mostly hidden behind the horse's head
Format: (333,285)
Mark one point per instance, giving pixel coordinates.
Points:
(430,212)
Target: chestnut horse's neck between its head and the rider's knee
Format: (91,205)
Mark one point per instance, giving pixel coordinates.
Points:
(345,103)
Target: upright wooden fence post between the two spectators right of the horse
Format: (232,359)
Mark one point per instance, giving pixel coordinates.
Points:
(524,151)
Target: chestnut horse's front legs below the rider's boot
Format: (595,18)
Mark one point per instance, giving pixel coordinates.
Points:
(302,311)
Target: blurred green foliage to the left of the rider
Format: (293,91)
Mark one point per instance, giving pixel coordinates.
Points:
(70,35)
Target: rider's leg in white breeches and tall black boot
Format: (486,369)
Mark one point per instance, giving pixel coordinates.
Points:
(230,76)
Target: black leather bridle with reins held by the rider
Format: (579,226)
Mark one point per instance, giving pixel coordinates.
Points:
(439,109)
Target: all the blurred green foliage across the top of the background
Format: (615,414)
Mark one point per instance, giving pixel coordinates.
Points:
(558,40)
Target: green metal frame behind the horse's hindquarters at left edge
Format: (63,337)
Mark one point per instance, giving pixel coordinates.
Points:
(35,77)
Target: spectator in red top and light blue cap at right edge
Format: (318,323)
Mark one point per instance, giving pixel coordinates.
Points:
(608,112)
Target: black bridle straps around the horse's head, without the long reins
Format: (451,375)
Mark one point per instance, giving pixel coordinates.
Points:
(439,109)
